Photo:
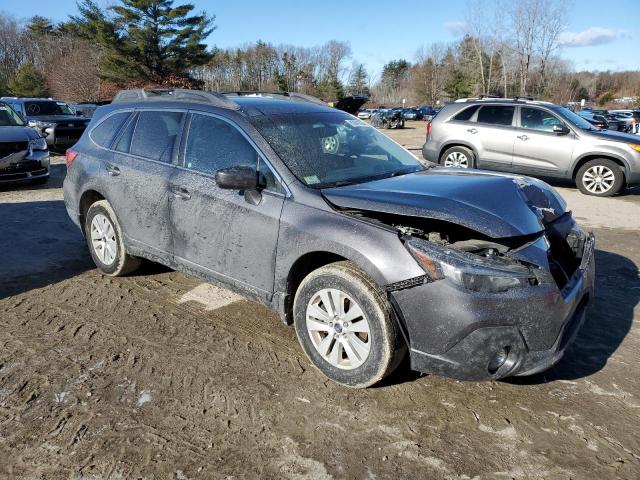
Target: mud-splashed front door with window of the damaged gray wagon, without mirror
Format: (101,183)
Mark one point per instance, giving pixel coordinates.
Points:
(225,233)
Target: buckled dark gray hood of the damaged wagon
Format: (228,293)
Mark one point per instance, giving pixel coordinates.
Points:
(493,204)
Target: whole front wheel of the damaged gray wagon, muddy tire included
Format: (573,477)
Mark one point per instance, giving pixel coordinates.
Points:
(344,324)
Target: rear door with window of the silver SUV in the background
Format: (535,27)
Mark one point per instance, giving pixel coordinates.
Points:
(494,136)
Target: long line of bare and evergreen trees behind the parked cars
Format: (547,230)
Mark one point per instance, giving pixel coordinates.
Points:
(503,49)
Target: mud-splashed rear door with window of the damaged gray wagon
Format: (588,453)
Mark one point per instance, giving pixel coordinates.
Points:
(144,159)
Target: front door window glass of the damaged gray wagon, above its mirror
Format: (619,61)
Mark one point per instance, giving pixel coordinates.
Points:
(213,144)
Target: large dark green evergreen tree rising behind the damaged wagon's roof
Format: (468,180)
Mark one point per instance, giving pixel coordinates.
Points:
(145,40)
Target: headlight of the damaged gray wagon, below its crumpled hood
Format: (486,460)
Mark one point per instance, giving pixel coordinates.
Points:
(473,272)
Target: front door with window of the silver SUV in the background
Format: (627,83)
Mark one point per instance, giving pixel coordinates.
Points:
(538,149)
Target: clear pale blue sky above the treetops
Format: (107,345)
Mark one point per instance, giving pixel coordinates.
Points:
(600,35)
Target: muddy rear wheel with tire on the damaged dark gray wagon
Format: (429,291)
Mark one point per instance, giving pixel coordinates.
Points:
(104,238)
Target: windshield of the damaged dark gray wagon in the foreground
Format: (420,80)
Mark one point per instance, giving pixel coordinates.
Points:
(333,149)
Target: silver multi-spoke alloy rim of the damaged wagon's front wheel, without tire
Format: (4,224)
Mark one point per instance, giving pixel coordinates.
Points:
(338,328)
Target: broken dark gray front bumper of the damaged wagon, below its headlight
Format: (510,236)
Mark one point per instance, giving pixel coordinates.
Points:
(456,333)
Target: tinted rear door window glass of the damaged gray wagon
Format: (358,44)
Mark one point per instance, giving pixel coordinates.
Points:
(155,135)
